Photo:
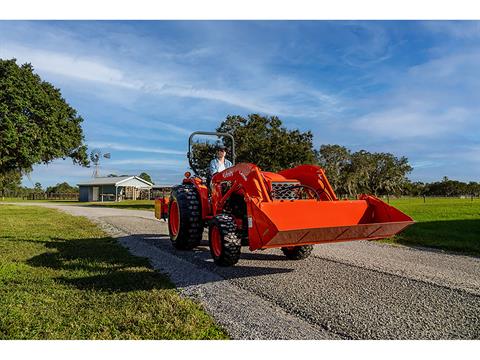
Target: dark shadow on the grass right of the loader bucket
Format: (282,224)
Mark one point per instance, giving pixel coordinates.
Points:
(461,236)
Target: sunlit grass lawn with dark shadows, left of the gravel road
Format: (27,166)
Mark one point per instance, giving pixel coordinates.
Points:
(62,278)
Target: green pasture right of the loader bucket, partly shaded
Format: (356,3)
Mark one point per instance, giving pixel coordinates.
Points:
(442,223)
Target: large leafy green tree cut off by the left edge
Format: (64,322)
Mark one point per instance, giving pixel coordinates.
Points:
(36,124)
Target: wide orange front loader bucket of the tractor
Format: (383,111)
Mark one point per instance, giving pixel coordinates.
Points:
(303,222)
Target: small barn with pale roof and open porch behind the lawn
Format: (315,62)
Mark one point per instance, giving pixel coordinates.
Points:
(114,189)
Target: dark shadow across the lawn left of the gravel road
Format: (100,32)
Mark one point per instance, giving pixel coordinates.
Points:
(99,264)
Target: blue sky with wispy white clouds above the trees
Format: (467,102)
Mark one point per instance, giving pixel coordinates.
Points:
(410,88)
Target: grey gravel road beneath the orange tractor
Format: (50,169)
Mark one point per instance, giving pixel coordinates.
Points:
(358,290)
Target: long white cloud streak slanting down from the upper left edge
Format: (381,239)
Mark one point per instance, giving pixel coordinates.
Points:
(260,93)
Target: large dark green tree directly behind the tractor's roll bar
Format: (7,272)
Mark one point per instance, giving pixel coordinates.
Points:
(263,141)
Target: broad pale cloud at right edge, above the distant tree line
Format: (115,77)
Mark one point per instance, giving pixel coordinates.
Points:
(435,99)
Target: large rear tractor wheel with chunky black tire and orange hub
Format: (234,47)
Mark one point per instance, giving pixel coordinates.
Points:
(185,225)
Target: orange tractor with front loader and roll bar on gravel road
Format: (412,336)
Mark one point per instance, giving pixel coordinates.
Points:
(291,210)
